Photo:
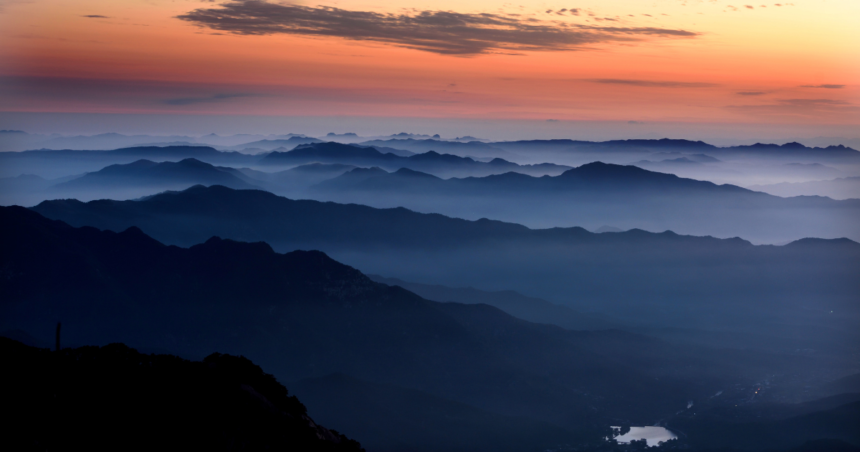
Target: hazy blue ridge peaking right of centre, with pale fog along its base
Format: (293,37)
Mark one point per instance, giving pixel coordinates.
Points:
(596,194)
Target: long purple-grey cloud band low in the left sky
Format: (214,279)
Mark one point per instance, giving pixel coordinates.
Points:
(21,92)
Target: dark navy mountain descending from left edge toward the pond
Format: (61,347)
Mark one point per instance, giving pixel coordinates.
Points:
(302,315)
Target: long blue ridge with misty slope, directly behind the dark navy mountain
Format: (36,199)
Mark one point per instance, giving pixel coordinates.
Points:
(725,287)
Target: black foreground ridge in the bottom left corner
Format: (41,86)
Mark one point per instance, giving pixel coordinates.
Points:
(114,398)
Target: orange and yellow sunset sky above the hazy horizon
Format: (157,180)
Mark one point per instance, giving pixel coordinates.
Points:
(788,66)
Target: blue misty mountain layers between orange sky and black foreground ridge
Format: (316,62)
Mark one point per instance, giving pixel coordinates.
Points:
(419,293)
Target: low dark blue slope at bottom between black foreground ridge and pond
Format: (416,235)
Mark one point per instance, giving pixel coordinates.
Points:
(369,410)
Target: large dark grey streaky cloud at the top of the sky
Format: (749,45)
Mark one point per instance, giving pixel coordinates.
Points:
(442,32)
